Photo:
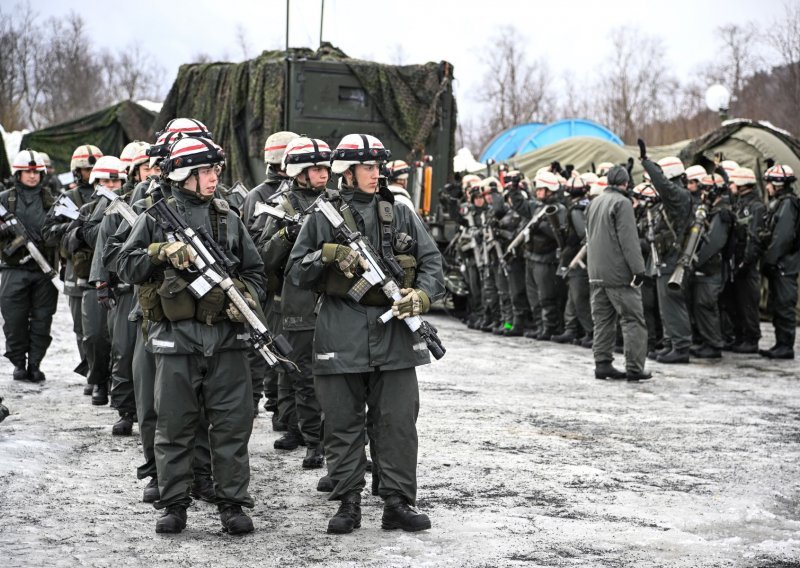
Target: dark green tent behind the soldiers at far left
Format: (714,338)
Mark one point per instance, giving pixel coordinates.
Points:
(109,129)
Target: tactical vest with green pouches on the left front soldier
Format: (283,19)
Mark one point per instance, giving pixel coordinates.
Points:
(166,295)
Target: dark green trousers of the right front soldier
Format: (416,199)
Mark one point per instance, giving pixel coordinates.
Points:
(389,401)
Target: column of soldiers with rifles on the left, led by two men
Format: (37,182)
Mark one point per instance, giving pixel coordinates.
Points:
(191,301)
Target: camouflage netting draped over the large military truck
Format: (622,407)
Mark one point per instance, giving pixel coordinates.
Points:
(242,103)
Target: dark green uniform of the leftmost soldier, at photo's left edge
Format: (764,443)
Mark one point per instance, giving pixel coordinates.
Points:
(28,298)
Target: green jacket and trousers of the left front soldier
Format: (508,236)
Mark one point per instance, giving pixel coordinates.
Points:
(198,366)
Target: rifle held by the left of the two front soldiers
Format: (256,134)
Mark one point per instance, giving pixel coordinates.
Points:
(214,269)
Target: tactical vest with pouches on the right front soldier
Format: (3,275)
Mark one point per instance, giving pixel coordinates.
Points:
(335,283)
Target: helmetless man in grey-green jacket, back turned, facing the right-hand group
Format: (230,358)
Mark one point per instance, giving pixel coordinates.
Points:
(616,272)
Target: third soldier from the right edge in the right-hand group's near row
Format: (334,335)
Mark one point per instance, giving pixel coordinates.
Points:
(710,269)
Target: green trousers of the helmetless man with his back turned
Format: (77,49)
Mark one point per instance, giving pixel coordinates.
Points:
(611,304)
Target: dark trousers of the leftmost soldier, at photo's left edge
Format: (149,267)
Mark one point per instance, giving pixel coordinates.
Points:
(28,301)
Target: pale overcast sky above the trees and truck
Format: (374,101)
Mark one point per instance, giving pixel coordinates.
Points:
(569,34)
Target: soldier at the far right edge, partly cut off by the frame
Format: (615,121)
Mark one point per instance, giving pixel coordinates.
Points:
(781,260)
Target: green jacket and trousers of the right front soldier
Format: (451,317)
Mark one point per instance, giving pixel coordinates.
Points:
(361,365)
